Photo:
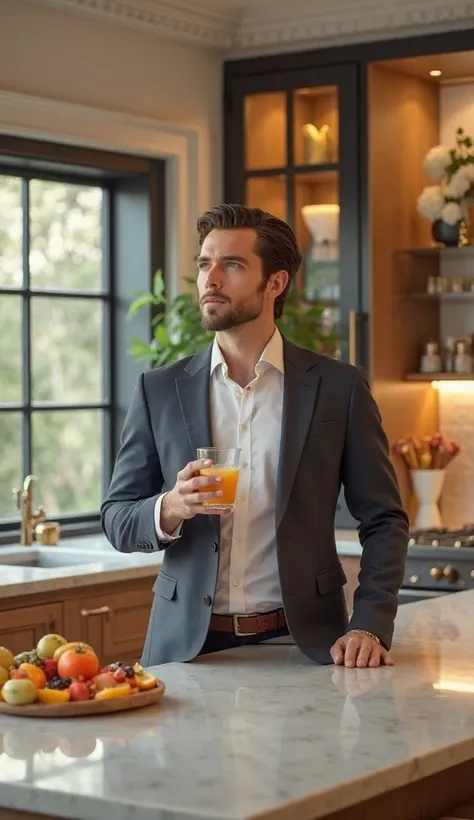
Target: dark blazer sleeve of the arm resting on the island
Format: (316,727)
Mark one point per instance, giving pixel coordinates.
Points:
(373,498)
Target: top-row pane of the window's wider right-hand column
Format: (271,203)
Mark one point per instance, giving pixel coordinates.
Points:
(65,236)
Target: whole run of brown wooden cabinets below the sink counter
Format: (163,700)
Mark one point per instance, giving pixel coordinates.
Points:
(113,618)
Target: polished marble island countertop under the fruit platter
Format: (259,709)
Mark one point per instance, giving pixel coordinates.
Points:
(260,732)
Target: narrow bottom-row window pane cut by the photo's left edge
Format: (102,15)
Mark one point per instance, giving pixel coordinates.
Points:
(10,462)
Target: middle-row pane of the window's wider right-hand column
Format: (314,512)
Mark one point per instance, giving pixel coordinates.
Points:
(66,349)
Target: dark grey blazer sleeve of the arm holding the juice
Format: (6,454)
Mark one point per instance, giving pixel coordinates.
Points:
(128,510)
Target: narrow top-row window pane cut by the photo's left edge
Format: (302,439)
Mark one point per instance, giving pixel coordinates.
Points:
(11,233)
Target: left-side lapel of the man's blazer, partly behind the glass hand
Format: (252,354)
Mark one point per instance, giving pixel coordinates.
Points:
(194,400)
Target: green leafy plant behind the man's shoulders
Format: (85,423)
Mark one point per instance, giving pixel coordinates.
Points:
(177,330)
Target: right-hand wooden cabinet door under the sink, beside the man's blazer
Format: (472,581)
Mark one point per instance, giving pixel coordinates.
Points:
(114,623)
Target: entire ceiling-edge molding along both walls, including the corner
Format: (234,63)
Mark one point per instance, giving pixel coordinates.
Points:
(241,27)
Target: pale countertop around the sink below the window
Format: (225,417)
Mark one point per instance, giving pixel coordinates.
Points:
(98,563)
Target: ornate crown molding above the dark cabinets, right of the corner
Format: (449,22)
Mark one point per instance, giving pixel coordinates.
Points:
(340,21)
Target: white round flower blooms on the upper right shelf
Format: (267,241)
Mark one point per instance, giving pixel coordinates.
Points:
(453,171)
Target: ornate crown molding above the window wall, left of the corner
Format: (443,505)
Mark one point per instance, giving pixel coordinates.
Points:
(206,22)
